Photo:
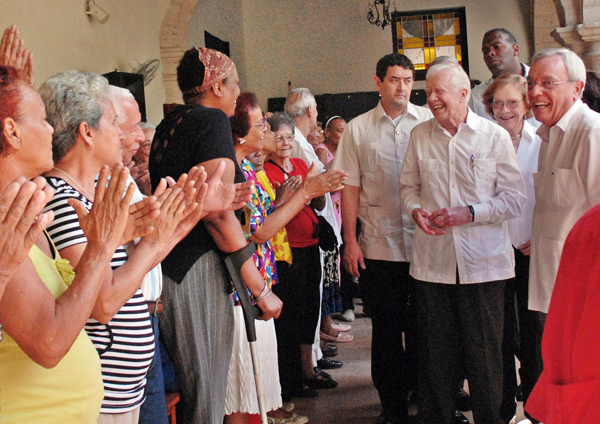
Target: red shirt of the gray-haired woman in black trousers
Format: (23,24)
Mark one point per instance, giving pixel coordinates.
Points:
(301,228)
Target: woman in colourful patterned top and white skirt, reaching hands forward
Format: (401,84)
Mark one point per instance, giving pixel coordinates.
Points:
(261,222)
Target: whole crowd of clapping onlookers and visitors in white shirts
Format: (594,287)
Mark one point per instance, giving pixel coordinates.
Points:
(124,244)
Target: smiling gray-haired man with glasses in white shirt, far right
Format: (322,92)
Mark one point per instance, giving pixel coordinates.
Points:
(567,183)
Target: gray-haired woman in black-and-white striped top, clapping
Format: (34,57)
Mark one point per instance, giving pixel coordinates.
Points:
(85,139)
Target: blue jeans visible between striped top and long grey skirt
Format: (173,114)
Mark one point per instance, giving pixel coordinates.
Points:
(154,408)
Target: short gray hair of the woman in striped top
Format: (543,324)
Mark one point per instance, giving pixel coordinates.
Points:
(72,98)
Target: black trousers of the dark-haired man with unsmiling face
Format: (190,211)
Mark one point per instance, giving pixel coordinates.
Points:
(389,290)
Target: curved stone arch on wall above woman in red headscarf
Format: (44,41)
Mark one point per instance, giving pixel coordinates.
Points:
(173,39)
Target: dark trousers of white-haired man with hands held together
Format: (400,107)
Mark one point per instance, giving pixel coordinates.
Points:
(456,323)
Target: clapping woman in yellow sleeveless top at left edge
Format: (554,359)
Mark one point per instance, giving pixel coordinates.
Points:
(49,369)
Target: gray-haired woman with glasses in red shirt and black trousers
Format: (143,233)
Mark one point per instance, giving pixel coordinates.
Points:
(299,288)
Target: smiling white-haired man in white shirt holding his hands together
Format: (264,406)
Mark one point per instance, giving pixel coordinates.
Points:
(460,183)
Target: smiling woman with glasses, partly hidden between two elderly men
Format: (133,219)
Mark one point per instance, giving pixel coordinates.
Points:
(506,100)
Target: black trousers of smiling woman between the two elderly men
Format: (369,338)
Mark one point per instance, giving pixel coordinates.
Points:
(522,329)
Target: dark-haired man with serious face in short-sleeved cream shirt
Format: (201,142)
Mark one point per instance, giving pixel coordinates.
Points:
(372,151)
